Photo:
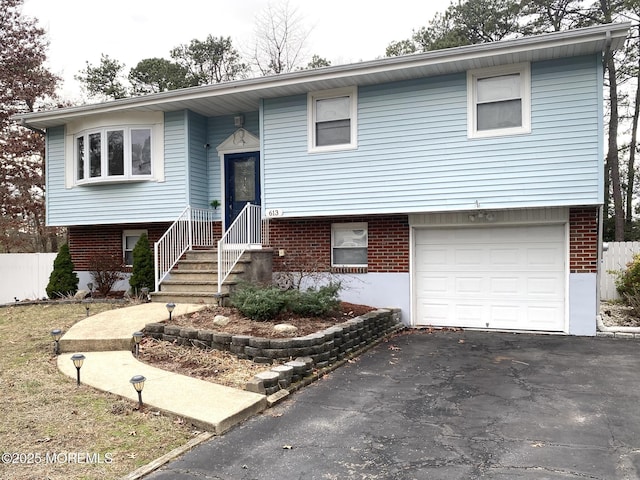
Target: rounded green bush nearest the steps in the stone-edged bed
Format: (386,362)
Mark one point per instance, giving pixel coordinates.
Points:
(259,303)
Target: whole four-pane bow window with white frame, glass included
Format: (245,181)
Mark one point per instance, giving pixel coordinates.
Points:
(113,154)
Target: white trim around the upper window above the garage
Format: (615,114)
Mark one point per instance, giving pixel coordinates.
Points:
(524,69)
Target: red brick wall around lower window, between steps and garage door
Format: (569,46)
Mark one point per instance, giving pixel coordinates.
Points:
(307,244)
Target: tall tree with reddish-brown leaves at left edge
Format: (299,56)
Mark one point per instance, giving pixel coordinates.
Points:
(25,85)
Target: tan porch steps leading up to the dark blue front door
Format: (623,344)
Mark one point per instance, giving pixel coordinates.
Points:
(195,279)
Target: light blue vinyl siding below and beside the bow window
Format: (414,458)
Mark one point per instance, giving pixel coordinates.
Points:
(124,202)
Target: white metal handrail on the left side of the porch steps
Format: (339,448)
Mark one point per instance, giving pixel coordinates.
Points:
(193,228)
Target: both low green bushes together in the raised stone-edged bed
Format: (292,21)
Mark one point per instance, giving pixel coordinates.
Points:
(266,303)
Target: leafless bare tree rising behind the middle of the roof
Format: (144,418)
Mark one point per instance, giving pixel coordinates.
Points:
(280,39)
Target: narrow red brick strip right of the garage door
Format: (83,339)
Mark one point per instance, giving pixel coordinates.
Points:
(583,240)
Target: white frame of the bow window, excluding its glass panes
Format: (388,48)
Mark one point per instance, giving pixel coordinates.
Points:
(128,176)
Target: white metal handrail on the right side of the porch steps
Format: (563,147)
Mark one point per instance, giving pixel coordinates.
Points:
(245,232)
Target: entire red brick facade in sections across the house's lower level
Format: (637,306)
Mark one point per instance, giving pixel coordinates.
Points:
(307,242)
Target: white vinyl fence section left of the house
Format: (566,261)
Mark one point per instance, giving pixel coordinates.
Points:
(24,275)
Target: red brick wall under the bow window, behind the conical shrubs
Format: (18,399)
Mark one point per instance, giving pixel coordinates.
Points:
(89,242)
